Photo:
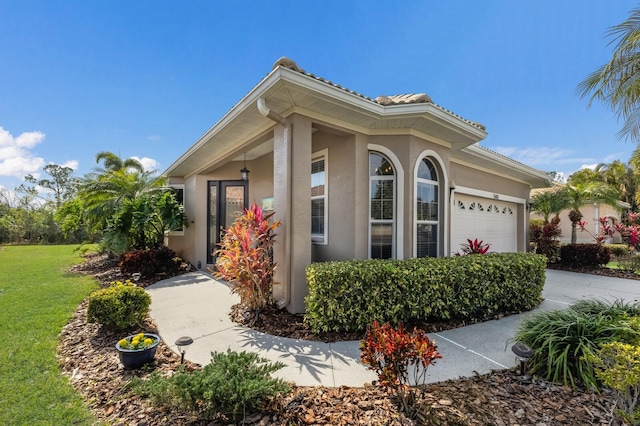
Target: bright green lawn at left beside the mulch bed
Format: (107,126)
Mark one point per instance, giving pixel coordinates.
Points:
(37,298)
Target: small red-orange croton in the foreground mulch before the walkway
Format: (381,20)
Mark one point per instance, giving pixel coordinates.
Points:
(397,356)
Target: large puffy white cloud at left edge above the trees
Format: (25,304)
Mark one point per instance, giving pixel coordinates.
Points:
(15,157)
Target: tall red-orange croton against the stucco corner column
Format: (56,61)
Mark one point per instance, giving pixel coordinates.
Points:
(244,258)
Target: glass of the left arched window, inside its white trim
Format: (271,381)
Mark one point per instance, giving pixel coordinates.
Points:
(382,207)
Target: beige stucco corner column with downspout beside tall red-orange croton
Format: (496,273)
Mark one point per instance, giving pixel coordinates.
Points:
(292,202)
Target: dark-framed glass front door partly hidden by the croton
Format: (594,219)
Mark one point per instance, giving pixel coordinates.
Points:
(226,199)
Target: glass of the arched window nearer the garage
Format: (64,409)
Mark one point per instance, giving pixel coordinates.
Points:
(427,210)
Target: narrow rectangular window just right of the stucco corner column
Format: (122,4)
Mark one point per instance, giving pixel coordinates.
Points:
(319,198)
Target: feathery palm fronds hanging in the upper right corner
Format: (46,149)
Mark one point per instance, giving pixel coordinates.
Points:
(617,83)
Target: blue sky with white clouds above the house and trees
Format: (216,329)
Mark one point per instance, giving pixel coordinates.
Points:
(147,78)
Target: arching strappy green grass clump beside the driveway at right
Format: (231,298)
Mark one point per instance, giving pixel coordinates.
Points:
(563,340)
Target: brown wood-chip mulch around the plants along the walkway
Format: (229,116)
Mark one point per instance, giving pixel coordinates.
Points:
(87,355)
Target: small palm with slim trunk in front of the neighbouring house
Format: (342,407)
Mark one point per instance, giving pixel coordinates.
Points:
(582,193)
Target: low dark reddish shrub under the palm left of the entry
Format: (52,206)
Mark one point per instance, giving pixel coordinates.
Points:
(150,262)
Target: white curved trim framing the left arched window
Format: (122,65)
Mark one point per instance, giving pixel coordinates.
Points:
(399,207)
